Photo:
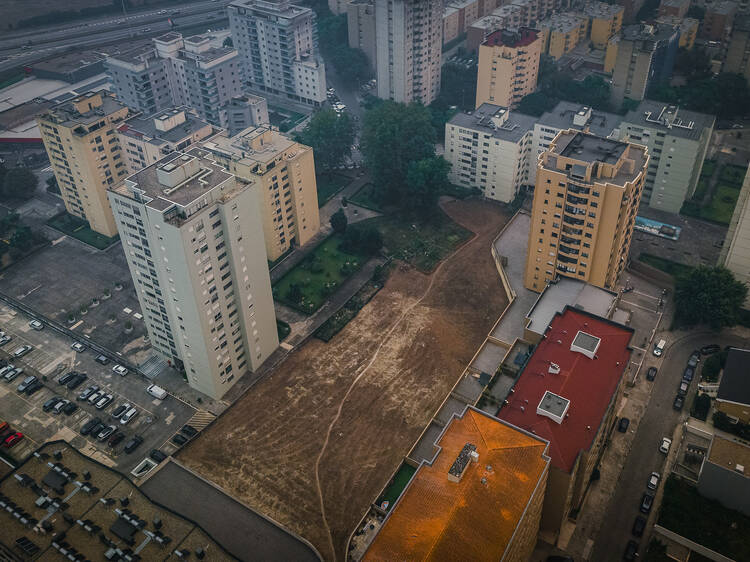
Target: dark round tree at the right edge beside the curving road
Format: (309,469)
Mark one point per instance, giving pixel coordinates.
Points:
(708,295)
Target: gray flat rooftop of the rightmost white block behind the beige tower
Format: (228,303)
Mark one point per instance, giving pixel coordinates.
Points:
(651,114)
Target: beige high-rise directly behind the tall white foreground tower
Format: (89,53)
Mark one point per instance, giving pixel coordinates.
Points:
(285,173)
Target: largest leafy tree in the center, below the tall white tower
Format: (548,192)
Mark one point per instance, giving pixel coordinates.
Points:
(393,136)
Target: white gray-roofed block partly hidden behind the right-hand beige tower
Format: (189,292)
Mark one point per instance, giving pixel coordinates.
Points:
(567,115)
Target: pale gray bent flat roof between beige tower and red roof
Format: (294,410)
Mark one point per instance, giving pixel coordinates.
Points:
(568,292)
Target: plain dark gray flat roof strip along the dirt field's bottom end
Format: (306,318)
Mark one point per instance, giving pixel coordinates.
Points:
(240,530)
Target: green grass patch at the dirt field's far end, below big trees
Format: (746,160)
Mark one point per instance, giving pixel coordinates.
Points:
(422,244)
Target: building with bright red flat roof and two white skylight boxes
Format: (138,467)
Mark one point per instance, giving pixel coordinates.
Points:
(567,394)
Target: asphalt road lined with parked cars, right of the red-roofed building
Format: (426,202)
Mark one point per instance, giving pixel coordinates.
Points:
(660,420)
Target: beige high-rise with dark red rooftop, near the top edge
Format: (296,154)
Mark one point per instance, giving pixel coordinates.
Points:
(508,66)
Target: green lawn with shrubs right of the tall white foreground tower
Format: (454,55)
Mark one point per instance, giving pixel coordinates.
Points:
(317,276)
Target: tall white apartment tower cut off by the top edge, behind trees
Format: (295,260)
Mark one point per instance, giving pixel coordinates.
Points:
(408,45)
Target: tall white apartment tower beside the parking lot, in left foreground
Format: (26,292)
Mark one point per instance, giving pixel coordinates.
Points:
(193,240)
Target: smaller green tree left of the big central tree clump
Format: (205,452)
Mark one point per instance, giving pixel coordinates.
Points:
(331,136)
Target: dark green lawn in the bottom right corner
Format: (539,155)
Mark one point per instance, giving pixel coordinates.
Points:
(704,521)
